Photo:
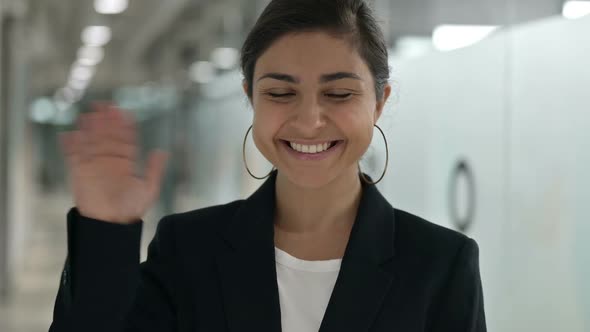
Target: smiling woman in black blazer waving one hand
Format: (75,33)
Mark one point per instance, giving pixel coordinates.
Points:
(316,247)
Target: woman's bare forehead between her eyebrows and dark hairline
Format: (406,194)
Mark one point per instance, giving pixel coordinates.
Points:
(311,54)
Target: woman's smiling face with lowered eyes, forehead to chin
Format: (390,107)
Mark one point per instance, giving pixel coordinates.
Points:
(311,91)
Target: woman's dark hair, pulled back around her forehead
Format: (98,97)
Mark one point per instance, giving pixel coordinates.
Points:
(350,19)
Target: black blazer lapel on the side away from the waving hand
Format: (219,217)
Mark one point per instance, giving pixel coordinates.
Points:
(366,274)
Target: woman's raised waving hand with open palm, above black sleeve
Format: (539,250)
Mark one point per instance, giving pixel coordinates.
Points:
(102,157)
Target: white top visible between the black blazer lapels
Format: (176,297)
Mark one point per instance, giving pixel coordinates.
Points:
(305,288)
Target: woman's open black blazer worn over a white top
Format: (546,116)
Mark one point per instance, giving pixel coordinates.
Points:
(213,269)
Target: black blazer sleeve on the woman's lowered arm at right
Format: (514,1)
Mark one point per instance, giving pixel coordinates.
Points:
(461,307)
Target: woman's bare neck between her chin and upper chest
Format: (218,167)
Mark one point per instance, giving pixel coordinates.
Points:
(315,210)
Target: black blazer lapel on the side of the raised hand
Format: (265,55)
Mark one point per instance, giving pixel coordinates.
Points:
(247,269)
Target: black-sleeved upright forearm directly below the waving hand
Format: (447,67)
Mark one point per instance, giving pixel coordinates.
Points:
(100,277)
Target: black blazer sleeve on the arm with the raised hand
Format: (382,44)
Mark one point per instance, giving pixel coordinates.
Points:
(104,288)
